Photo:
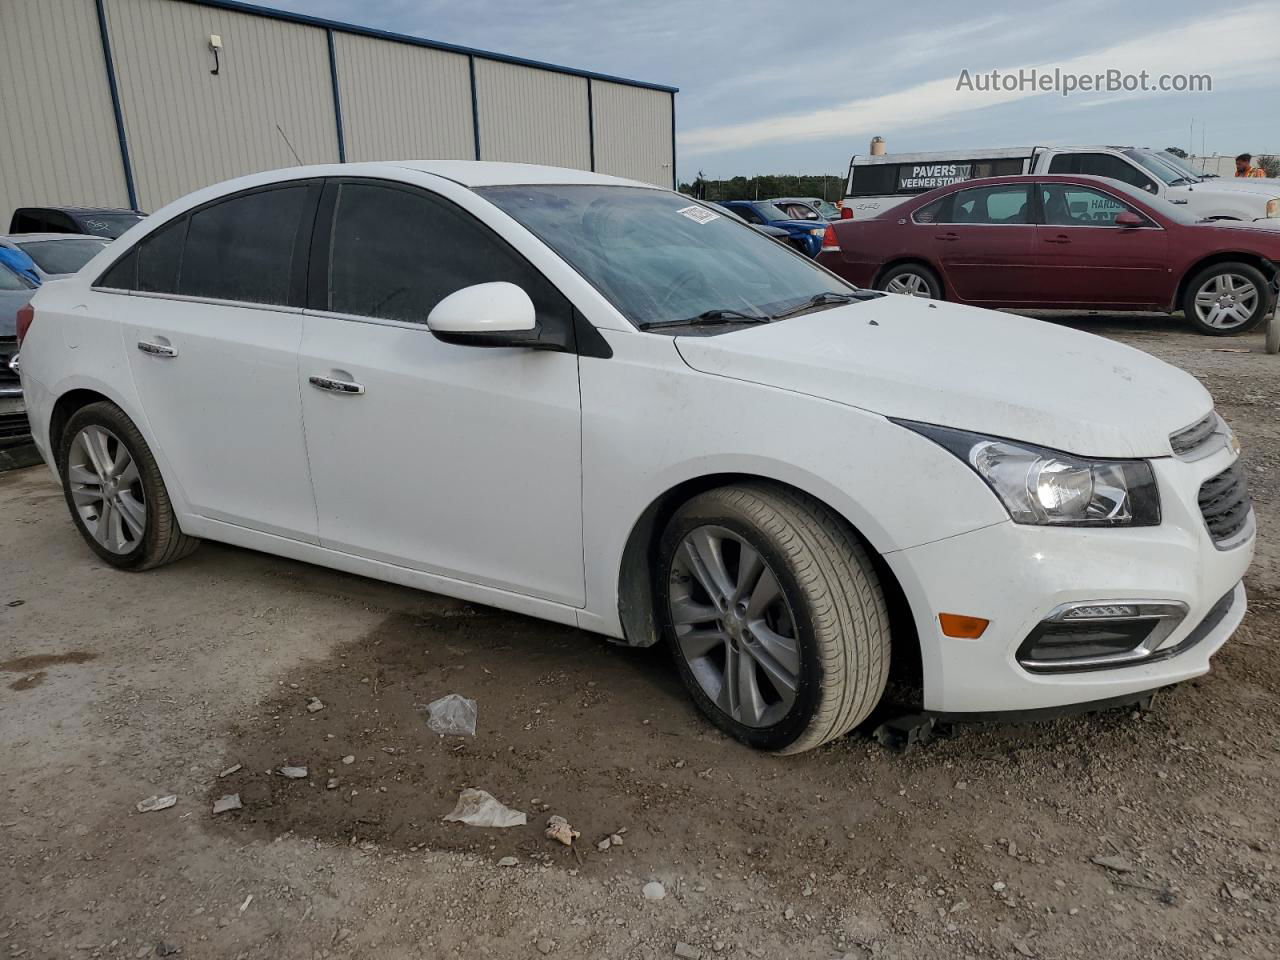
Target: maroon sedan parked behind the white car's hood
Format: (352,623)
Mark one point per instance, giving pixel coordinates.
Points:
(1063,244)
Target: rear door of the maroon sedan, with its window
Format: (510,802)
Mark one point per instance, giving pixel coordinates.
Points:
(984,244)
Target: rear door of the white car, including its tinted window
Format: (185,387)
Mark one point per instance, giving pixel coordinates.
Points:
(213,345)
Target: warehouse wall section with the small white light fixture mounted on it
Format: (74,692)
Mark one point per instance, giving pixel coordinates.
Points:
(189,129)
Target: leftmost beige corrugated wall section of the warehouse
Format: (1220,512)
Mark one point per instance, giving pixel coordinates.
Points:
(58,141)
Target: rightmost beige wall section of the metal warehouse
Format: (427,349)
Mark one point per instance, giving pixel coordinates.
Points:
(633,132)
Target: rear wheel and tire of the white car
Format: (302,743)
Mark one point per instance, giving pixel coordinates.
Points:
(115,491)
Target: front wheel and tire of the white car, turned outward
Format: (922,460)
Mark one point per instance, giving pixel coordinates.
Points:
(775,616)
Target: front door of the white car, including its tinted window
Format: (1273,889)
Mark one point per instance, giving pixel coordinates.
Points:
(460,461)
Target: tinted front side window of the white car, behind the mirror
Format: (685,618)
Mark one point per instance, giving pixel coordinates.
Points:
(396,253)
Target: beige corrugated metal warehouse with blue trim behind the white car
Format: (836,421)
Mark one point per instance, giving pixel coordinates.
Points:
(135,103)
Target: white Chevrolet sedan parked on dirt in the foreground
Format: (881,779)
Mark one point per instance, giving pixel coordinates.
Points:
(604,404)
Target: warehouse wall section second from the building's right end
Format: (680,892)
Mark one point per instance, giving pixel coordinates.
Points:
(532,116)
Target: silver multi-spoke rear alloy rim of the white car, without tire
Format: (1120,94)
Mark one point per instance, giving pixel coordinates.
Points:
(107,490)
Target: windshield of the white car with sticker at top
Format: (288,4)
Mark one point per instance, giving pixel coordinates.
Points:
(661,258)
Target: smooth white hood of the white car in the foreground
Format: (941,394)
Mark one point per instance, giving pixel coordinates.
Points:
(970,369)
